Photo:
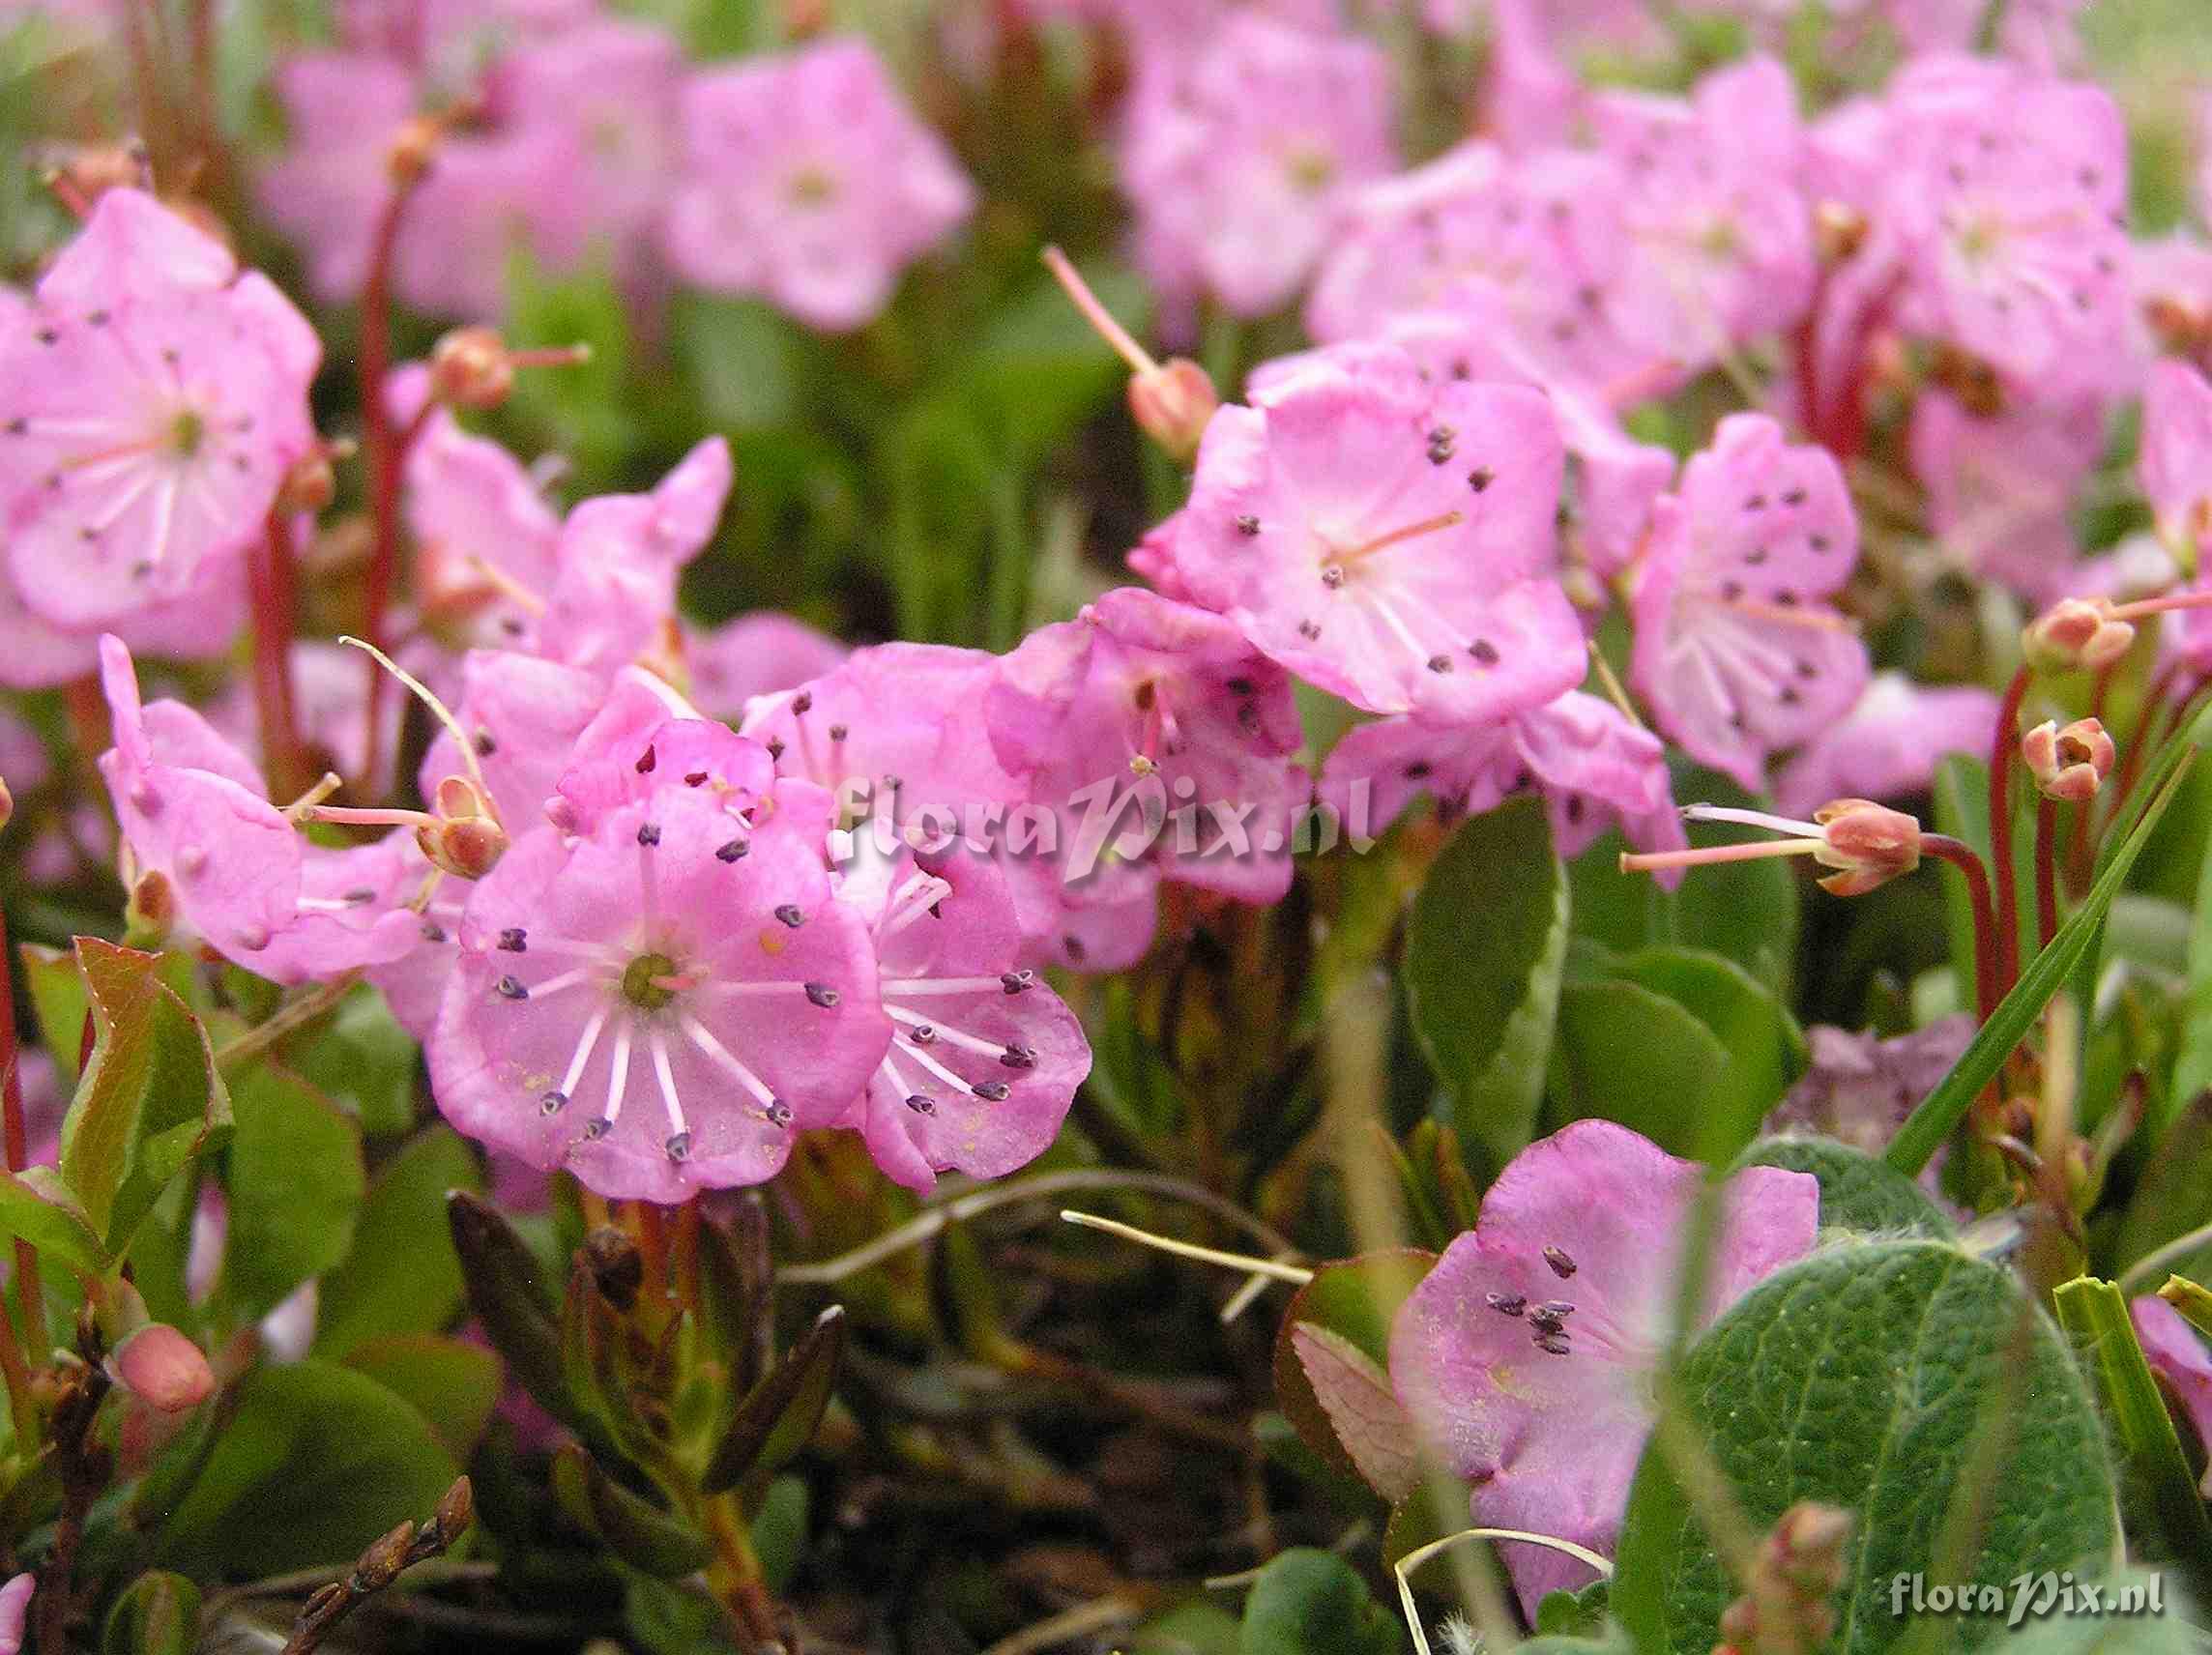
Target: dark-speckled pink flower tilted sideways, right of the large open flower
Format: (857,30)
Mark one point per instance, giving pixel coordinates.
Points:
(1735,649)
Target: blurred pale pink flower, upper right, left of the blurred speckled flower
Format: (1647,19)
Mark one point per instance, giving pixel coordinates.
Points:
(1720,236)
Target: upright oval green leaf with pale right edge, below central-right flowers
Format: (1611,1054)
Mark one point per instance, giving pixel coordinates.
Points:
(1485,1014)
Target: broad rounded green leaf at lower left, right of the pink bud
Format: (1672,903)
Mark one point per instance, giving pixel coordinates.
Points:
(317,1464)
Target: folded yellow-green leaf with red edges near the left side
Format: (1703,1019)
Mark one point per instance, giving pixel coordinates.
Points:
(147,1103)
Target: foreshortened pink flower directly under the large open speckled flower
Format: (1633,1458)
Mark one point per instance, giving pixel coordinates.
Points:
(1580,753)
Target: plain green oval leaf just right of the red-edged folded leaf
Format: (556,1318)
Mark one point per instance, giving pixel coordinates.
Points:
(295,1189)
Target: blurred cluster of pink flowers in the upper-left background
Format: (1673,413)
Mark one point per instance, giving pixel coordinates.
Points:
(583,138)
